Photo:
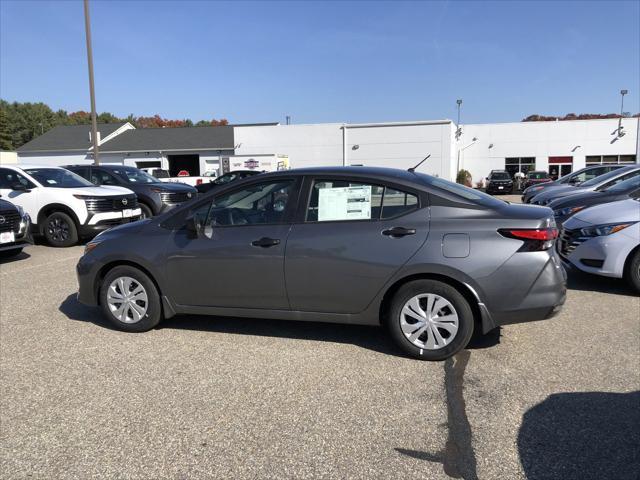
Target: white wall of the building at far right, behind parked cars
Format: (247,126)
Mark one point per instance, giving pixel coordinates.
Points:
(543,140)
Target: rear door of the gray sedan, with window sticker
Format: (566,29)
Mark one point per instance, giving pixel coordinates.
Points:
(352,237)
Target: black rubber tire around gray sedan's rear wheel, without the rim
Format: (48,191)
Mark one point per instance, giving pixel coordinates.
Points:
(447,292)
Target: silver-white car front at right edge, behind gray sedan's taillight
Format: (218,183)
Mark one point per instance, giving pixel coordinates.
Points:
(604,240)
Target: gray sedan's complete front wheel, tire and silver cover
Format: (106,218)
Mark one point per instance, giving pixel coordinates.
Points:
(130,300)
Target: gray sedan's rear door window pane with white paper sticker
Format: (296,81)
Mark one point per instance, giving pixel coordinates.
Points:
(340,200)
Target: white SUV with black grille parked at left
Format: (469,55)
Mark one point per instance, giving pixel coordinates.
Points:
(64,206)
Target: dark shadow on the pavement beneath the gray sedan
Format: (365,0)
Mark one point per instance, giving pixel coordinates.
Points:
(368,337)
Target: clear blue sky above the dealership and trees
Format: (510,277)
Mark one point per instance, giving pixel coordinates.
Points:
(325,61)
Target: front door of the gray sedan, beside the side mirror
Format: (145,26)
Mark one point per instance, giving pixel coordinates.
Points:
(238,260)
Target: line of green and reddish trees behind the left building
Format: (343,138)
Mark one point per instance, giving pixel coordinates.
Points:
(22,122)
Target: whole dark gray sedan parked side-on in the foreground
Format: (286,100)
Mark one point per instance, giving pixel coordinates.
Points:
(430,259)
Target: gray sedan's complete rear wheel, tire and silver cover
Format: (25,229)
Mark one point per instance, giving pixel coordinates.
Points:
(430,320)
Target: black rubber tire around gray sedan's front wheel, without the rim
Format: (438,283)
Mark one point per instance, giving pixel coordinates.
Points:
(153,313)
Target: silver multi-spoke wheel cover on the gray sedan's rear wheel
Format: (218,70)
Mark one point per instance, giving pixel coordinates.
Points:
(429,321)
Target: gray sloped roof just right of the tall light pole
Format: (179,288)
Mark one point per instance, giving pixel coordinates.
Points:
(165,139)
